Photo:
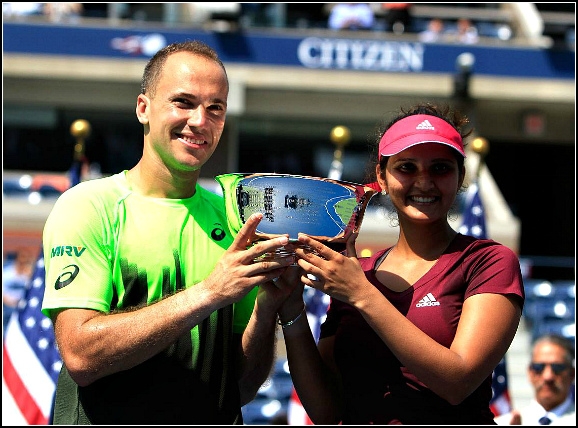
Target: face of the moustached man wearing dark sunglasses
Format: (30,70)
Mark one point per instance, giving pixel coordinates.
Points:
(550,374)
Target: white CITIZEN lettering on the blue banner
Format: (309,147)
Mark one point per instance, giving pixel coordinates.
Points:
(351,54)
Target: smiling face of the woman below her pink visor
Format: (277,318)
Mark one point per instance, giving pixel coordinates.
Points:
(423,182)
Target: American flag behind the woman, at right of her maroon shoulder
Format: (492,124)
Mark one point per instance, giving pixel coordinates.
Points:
(474,224)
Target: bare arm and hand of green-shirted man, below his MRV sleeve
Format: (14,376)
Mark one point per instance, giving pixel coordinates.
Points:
(93,344)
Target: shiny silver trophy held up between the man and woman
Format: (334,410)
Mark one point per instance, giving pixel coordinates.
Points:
(323,208)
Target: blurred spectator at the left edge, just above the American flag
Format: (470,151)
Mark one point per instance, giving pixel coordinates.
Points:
(15,275)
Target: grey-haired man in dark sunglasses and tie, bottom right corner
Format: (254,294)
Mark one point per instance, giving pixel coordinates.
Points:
(551,372)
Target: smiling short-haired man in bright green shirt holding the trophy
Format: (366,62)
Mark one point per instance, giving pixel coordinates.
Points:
(154,301)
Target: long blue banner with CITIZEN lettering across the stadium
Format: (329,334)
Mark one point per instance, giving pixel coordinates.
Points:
(376,54)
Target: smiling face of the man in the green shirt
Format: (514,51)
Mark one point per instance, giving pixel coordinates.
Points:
(184,120)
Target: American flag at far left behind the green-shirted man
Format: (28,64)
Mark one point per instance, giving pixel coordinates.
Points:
(31,361)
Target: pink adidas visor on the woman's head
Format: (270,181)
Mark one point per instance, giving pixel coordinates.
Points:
(419,129)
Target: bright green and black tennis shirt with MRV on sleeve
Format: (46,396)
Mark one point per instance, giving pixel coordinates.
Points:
(107,248)
